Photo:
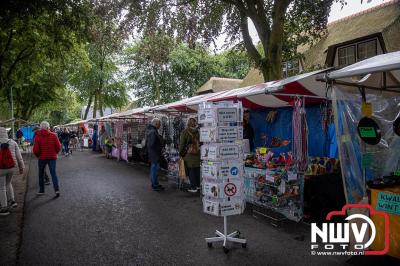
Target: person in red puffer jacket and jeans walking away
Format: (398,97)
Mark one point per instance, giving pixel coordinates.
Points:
(46,147)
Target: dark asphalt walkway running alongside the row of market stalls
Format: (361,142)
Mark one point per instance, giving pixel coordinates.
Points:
(107,215)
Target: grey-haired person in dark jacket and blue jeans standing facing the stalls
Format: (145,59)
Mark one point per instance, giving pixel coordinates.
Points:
(154,149)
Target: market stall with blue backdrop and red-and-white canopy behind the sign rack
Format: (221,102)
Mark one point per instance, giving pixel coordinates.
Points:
(293,127)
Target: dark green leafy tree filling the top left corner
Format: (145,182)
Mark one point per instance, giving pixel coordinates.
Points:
(36,38)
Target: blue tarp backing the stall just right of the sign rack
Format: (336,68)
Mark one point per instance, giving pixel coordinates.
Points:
(320,143)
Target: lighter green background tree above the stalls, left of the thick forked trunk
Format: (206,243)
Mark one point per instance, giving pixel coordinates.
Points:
(162,70)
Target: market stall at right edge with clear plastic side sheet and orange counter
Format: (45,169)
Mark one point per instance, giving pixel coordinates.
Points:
(366,99)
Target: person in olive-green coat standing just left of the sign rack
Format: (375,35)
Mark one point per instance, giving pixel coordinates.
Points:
(189,150)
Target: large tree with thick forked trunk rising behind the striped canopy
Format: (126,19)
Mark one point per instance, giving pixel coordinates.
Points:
(281,25)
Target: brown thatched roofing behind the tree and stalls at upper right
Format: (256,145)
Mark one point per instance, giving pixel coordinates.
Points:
(383,19)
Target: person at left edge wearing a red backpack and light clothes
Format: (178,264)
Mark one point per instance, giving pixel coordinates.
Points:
(10,161)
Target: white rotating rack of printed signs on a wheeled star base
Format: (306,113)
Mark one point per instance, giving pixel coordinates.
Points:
(222,165)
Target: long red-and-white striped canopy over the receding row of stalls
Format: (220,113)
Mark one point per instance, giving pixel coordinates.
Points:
(271,94)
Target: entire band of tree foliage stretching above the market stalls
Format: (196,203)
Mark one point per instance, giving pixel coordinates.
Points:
(96,53)
